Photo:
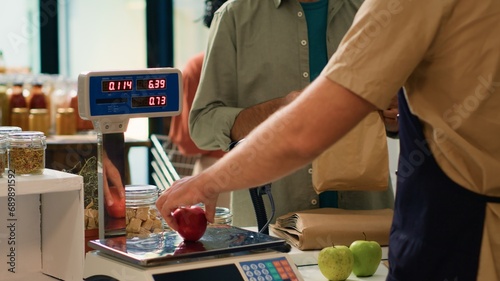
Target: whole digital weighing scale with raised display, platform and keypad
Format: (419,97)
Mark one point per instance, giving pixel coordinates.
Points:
(110,99)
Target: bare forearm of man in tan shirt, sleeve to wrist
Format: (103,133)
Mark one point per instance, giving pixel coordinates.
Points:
(291,138)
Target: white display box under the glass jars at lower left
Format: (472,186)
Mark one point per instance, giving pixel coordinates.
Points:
(48,227)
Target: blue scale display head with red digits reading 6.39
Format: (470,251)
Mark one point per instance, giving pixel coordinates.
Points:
(153,92)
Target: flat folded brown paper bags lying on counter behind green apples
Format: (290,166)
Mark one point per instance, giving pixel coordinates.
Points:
(323,227)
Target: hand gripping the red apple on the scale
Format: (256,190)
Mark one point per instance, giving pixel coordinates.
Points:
(186,192)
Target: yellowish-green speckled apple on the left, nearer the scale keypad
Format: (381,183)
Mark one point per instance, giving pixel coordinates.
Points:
(336,262)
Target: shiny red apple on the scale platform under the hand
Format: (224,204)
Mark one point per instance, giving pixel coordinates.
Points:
(191,221)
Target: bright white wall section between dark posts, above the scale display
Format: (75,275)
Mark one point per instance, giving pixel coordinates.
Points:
(106,35)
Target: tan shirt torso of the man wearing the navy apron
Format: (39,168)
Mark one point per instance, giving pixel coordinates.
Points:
(463,61)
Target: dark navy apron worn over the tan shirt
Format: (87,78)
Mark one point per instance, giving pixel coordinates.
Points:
(438,225)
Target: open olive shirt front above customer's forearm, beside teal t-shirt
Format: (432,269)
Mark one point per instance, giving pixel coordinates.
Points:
(272,45)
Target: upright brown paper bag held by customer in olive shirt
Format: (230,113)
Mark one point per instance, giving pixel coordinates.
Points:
(358,161)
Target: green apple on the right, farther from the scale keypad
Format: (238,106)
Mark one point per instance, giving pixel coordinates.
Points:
(367,257)
